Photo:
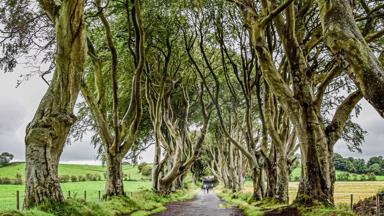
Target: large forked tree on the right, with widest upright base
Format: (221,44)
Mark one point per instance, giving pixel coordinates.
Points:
(300,94)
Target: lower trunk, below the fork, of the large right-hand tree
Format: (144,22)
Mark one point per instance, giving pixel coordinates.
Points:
(315,185)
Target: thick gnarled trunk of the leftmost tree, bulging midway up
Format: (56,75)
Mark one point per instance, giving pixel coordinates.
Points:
(46,134)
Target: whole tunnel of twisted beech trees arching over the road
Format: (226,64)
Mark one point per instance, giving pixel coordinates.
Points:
(232,88)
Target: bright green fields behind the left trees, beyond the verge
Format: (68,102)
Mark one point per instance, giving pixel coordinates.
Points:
(92,188)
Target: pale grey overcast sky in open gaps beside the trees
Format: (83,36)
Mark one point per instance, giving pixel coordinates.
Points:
(17,107)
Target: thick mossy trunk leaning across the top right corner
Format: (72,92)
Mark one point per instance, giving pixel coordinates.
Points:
(345,40)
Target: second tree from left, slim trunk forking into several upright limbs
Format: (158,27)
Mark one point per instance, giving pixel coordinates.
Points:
(117,131)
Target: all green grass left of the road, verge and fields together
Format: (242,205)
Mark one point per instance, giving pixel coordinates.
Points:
(140,200)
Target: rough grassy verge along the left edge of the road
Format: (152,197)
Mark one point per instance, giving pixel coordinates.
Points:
(140,203)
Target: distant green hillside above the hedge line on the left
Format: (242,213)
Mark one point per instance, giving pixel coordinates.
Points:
(11,169)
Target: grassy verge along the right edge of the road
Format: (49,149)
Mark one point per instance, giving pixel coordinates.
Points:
(244,201)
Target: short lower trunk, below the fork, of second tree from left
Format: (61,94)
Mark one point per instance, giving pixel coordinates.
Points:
(114,183)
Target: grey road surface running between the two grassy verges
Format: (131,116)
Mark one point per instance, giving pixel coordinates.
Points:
(202,205)
